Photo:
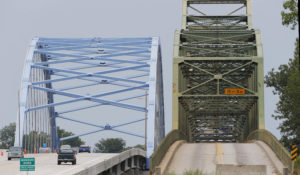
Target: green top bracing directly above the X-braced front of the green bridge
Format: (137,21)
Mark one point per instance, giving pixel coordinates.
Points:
(217,44)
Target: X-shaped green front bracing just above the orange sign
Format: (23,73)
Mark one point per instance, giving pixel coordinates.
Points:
(213,77)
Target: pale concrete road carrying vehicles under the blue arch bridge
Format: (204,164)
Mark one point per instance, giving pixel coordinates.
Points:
(47,164)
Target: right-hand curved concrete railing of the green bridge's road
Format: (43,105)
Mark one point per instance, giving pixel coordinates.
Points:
(274,144)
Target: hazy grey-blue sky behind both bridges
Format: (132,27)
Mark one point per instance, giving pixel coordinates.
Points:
(20,21)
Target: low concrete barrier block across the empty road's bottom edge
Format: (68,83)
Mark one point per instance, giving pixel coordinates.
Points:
(241,169)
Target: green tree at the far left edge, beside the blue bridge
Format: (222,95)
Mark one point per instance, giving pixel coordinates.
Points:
(7,136)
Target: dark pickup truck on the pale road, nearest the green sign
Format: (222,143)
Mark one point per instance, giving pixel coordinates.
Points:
(66,154)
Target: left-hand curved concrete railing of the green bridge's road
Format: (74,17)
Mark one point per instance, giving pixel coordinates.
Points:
(163,147)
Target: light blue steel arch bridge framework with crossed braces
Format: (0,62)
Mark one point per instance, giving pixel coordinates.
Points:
(130,68)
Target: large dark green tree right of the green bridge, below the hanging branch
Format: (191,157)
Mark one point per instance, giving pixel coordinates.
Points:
(286,84)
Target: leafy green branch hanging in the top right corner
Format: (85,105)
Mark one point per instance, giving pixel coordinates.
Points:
(290,13)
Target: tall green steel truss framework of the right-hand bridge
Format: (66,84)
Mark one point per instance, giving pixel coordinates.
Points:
(213,53)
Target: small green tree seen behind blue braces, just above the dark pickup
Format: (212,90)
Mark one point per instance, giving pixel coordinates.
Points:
(75,142)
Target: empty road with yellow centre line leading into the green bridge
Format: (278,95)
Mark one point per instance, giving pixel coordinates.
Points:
(205,156)
